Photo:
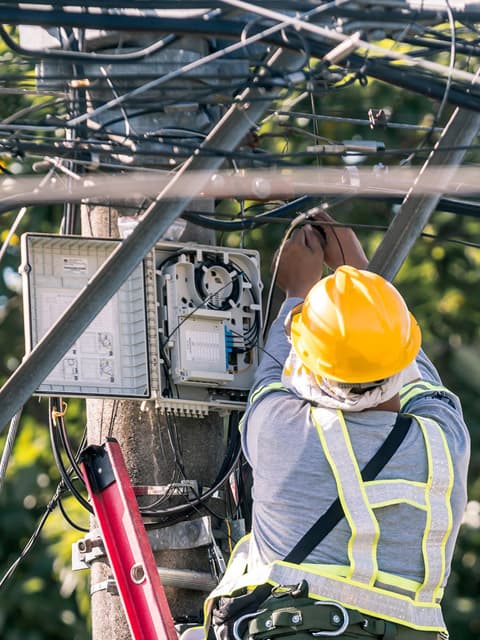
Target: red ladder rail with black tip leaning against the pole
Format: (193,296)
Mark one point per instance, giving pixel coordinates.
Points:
(126,542)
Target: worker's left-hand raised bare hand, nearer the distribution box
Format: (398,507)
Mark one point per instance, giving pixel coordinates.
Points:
(301,262)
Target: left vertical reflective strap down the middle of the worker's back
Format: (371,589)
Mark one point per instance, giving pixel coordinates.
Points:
(362,546)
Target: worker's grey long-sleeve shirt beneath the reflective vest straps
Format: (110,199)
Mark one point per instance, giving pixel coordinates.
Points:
(294,484)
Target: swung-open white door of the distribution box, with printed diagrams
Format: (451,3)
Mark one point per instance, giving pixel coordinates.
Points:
(111,357)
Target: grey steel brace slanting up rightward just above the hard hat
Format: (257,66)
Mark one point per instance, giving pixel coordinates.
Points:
(417,208)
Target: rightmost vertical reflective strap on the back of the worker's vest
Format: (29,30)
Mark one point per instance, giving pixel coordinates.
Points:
(437,496)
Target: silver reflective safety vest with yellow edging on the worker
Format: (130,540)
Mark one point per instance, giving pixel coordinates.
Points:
(361,585)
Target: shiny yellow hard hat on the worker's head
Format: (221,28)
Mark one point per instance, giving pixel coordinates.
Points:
(354,326)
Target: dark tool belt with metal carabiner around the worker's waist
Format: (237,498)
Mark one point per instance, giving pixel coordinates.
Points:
(292,614)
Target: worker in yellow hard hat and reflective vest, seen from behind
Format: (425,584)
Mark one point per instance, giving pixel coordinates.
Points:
(342,362)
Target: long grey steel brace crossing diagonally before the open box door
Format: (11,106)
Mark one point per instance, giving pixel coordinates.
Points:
(226,135)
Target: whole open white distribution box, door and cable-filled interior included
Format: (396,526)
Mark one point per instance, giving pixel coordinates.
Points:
(183,330)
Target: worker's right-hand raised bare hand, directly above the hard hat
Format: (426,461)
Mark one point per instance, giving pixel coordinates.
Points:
(342,245)
